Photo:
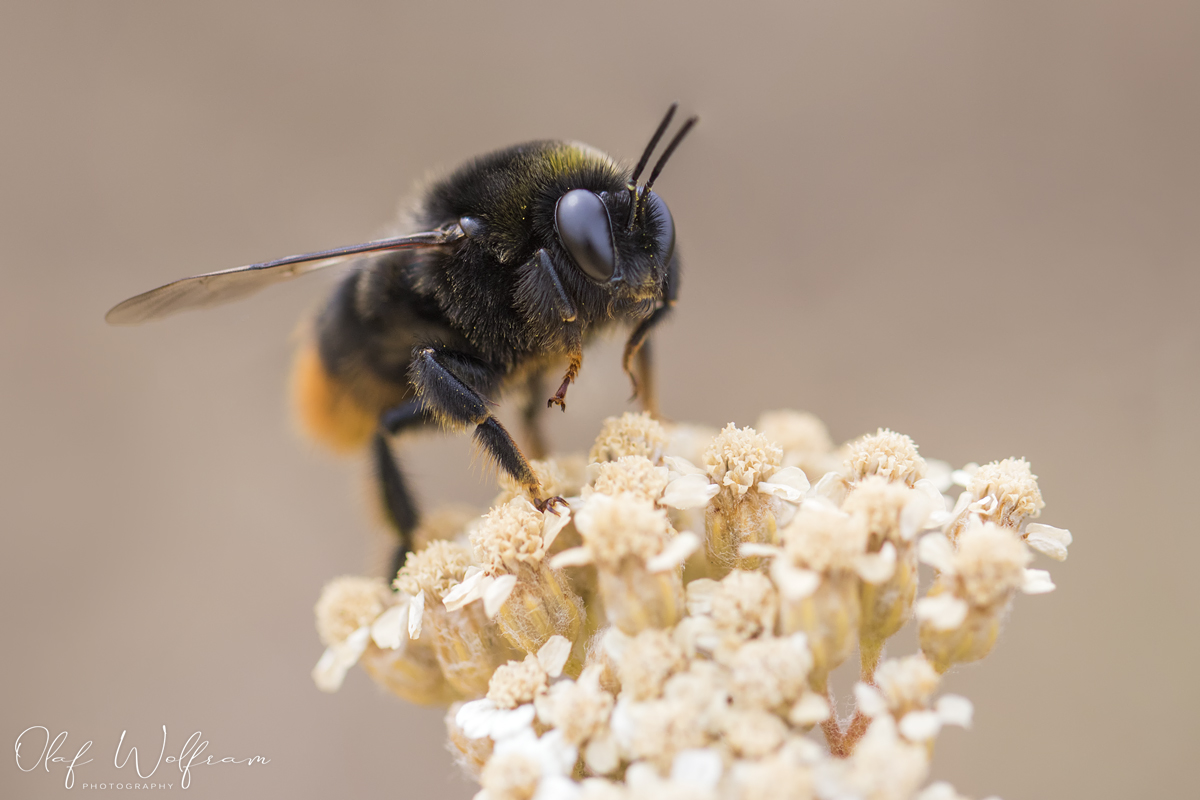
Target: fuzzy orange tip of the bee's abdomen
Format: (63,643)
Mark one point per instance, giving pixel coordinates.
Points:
(327,410)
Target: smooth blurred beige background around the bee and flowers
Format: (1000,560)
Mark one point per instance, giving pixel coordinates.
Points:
(974,222)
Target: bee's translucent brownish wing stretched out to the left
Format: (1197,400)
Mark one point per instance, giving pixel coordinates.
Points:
(217,288)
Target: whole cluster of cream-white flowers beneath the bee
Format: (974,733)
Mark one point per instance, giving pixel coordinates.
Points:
(671,633)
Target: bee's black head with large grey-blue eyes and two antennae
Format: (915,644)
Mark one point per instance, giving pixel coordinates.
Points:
(623,240)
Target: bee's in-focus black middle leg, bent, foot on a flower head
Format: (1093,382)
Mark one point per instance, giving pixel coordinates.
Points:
(452,389)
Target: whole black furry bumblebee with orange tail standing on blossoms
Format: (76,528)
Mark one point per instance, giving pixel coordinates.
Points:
(517,261)
